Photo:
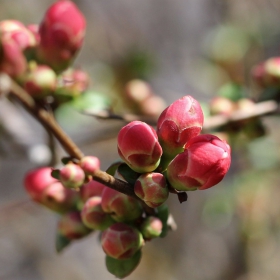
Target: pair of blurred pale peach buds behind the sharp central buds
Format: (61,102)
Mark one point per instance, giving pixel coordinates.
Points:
(142,99)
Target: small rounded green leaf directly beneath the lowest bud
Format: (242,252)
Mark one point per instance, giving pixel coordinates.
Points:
(122,268)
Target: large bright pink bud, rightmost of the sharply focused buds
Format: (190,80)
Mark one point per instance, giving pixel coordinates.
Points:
(202,165)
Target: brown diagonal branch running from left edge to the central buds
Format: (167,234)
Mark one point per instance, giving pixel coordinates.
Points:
(49,122)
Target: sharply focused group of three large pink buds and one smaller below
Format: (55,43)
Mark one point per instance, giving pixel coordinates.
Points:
(175,147)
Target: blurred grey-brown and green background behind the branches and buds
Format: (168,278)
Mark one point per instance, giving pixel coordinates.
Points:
(201,48)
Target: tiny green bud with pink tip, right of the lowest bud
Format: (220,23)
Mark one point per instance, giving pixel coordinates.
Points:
(151,227)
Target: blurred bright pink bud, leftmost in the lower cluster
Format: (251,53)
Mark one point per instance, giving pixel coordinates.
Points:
(37,180)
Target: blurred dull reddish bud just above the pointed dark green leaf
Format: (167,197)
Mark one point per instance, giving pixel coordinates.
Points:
(71,226)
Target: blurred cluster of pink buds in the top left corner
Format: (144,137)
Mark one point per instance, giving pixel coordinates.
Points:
(36,55)
